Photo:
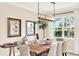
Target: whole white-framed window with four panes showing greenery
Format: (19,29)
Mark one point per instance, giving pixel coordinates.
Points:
(63,27)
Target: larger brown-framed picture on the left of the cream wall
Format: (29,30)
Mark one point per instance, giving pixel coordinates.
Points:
(14,27)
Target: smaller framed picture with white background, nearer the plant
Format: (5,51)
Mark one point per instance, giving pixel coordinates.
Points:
(30,28)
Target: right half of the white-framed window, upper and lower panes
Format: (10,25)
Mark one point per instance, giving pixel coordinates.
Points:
(69,26)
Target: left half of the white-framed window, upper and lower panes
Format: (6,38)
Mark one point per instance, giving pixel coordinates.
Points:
(57,27)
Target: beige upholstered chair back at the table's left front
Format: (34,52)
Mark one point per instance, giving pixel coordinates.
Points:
(24,50)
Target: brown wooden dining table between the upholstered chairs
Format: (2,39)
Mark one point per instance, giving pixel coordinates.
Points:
(39,48)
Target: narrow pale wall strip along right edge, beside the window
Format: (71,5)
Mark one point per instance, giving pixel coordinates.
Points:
(76,13)
